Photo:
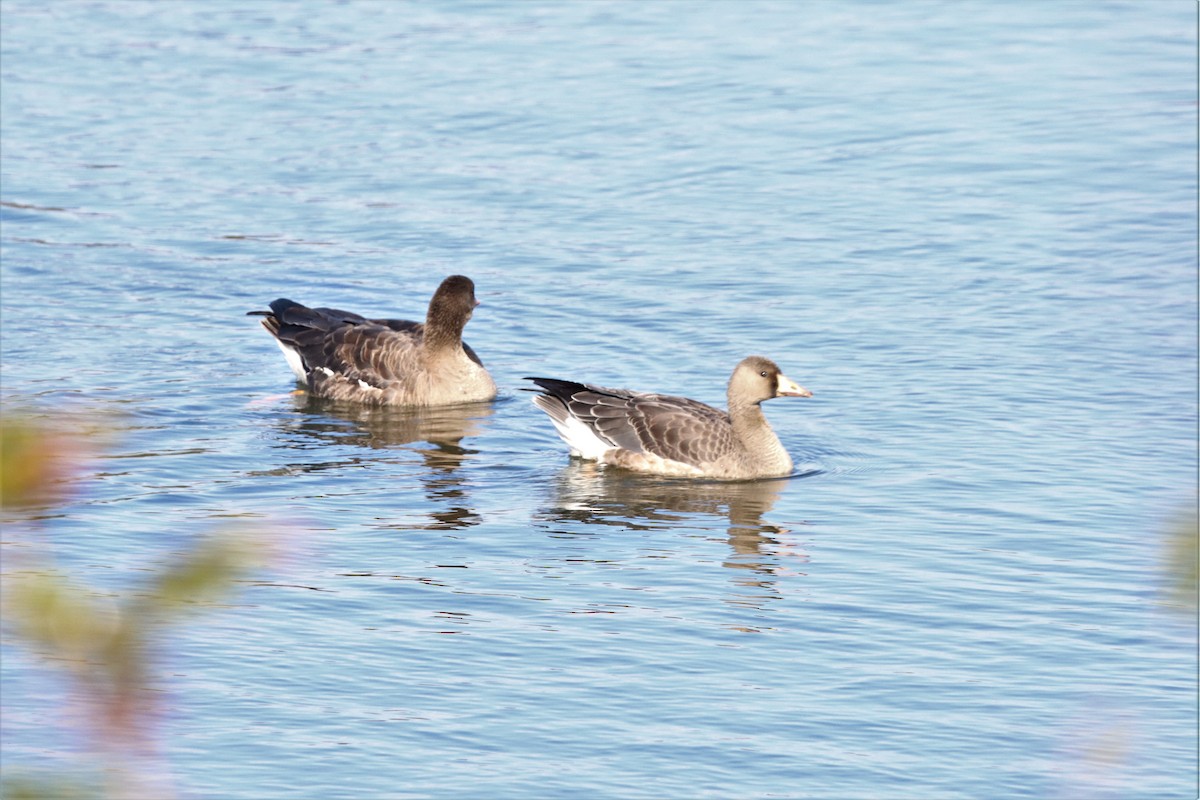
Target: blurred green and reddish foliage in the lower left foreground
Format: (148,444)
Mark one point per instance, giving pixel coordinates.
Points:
(106,645)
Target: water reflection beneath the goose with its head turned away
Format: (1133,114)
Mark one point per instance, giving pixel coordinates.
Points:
(320,423)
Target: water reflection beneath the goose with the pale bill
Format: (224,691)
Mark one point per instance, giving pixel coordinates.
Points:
(596,496)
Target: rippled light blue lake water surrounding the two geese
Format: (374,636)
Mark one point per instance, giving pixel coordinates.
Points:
(970,230)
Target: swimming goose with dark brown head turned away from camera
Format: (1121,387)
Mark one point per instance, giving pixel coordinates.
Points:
(344,357)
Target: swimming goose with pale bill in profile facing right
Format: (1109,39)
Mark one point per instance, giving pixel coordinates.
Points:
(675,436)
